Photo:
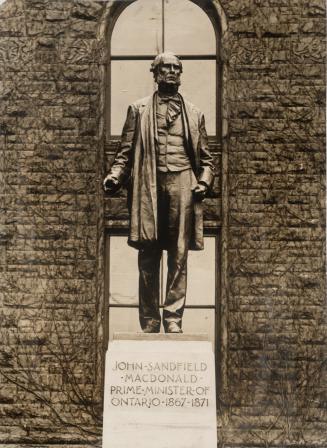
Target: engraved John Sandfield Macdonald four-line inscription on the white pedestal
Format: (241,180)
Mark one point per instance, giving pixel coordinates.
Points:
(160,384)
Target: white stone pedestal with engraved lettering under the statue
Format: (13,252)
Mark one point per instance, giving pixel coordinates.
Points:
(160,394)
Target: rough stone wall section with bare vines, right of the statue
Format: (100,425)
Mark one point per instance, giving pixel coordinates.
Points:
(274,53)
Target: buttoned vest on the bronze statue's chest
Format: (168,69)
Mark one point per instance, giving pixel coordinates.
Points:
(171,153)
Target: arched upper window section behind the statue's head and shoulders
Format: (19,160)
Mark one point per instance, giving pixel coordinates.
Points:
(142,29)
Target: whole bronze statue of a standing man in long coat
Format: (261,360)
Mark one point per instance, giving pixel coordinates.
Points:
(164,153)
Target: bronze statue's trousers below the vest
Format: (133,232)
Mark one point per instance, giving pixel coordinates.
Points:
(175,224)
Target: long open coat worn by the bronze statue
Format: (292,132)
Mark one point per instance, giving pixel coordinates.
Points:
(137,158)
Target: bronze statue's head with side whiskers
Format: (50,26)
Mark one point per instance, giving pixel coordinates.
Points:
(167,69)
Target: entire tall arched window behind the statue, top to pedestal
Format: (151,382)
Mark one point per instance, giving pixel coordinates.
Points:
(140,30)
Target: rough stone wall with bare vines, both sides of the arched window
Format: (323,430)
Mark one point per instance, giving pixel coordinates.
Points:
(51,93)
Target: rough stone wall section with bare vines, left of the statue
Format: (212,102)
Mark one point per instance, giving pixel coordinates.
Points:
(50,209)
